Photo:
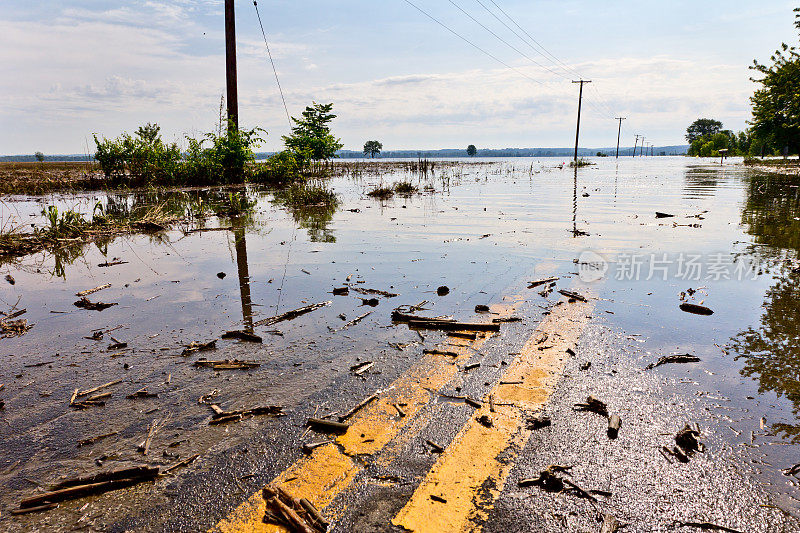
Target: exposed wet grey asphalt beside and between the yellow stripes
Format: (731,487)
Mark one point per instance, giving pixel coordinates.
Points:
(648,493)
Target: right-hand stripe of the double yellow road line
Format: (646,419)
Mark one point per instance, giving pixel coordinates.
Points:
(473,470)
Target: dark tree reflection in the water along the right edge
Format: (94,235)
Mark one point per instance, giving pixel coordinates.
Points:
(771,350)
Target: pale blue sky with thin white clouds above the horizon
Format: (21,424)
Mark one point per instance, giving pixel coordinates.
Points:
(74,68)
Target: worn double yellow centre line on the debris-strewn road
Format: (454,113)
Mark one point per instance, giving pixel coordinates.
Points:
(471,459)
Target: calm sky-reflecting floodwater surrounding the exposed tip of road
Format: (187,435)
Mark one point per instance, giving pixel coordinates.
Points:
(478,229)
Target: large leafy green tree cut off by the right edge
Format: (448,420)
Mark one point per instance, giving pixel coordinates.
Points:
(776,105)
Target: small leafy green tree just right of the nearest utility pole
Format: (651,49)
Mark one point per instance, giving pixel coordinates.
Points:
(311,138)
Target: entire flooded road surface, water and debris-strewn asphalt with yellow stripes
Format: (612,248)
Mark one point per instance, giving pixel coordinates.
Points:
(503,426)
